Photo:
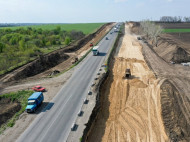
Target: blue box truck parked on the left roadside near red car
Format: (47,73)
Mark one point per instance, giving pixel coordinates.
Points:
(34,101)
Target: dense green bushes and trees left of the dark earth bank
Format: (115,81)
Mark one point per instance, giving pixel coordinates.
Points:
(23,44)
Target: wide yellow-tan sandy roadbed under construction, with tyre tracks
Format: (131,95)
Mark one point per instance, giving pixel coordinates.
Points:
(130,108)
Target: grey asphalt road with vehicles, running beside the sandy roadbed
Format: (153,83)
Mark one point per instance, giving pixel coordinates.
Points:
(54,123)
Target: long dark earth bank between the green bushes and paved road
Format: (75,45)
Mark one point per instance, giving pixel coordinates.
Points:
(46,62)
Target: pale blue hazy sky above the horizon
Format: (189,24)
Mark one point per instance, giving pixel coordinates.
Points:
(89,11)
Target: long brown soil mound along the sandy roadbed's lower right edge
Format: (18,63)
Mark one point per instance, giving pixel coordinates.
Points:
(174,120)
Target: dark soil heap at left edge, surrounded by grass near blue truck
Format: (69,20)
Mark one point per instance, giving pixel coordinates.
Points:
(7,109)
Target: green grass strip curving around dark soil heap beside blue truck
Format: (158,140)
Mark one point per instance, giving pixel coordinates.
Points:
(20,96)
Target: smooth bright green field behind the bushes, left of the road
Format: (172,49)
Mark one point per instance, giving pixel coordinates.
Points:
(86,28)
